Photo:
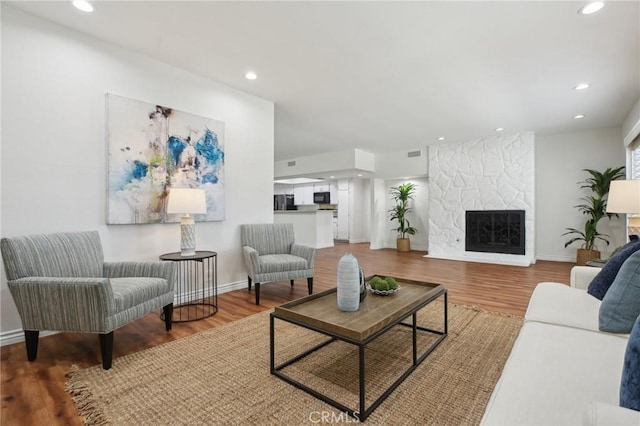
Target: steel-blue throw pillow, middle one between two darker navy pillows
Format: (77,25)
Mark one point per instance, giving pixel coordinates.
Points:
(621,305)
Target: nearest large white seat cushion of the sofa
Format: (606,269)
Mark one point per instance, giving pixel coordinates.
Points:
(553,373)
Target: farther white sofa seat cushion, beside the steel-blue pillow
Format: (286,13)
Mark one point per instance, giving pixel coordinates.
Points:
(557,303)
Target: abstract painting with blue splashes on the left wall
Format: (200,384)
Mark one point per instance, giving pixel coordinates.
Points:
(154,148)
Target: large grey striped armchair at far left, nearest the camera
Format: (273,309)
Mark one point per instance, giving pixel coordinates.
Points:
(61,282)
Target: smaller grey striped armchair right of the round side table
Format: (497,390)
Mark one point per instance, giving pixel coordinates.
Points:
(270,254)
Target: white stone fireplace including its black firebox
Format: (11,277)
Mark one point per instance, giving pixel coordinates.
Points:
(494,175)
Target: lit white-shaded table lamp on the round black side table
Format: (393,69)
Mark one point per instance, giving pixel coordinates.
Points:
(187,201)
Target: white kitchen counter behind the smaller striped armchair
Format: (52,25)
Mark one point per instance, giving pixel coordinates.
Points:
(313,227)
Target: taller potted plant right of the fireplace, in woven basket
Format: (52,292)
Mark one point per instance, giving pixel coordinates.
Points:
(594,206)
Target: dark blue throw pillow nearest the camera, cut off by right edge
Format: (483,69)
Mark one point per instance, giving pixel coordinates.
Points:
(630,383)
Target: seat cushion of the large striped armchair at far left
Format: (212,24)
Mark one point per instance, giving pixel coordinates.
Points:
(131,291)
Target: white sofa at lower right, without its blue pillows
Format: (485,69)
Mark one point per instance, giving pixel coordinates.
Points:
(562,370)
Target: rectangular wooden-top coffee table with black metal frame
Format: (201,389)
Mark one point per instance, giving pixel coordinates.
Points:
(376,315)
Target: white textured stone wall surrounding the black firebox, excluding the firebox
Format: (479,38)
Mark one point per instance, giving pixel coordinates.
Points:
(496,173)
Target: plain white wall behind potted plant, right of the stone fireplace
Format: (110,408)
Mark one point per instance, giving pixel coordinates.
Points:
(560,159)
